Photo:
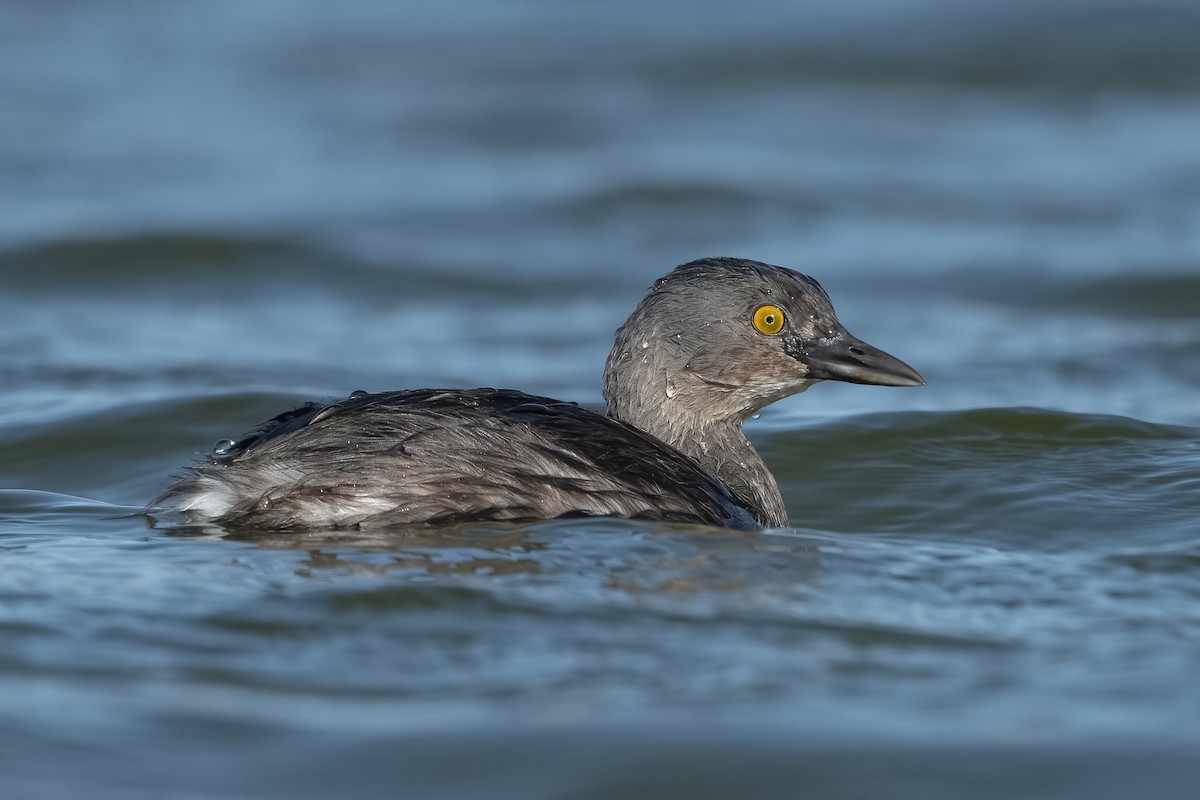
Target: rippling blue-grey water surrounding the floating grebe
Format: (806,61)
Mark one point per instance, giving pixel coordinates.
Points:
(215,210)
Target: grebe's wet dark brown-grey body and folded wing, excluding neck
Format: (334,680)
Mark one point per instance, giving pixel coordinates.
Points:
(439,456)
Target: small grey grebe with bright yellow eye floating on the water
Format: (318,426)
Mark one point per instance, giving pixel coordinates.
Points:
(712,344)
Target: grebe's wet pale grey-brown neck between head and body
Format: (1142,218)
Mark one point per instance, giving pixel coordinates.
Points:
(716,443)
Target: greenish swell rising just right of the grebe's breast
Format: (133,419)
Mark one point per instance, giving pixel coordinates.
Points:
(1010,476)
